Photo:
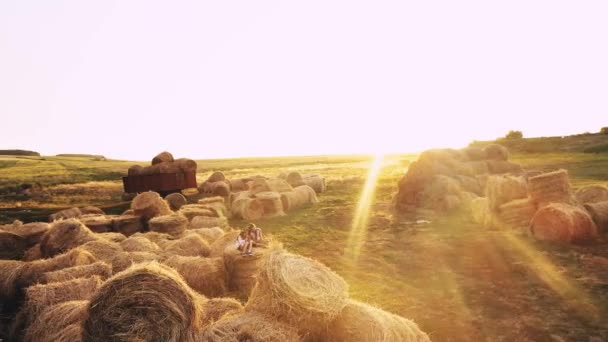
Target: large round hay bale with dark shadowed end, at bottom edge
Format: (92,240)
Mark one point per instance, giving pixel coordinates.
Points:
(148,302)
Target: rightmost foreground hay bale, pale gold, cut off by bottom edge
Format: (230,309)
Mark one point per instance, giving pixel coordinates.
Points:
(365,323)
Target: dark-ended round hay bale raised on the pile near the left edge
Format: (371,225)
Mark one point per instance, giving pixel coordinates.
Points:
(63,236)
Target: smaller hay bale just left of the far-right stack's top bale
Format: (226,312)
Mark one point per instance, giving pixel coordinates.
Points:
(505,188)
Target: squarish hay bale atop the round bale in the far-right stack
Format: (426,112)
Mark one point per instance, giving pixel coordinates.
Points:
(551,187)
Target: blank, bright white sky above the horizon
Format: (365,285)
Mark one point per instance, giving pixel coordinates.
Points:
(212,79)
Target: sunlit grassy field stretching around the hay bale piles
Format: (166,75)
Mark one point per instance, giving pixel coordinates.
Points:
(458,281)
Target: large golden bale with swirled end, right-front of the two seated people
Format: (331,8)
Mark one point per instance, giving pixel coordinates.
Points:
(299,291)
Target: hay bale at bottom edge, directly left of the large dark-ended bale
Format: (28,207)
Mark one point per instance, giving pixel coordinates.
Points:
(60,322)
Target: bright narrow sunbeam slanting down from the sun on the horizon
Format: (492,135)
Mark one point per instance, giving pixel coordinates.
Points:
(358,231)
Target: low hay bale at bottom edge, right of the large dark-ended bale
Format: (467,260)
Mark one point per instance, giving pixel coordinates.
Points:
(250,326)
